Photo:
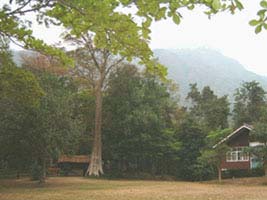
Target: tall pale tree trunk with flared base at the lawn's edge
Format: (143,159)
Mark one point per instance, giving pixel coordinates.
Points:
(95,165)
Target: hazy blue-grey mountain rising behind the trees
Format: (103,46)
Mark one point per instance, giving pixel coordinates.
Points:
(206,67)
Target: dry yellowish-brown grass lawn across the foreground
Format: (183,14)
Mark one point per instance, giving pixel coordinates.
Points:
(75,188)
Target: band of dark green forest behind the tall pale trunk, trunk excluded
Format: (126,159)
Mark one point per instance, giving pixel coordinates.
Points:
(48,110)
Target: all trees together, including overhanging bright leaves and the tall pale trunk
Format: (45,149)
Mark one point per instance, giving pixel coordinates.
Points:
(110,98)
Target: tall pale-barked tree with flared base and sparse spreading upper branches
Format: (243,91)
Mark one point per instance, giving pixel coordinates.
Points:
(94,66)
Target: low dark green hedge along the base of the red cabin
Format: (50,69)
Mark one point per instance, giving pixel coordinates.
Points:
(237,173)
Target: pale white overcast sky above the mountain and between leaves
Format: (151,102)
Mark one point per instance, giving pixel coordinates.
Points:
(229,34)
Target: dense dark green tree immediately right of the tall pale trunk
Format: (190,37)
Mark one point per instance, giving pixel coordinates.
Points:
(139,125)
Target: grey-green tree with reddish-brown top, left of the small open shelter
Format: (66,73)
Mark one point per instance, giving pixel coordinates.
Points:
(53,127)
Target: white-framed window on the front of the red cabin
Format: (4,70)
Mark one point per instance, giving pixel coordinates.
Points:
(237,154)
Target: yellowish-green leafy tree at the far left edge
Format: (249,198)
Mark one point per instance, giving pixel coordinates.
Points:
(20,96)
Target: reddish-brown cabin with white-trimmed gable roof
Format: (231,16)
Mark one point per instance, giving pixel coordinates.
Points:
(237,158)
